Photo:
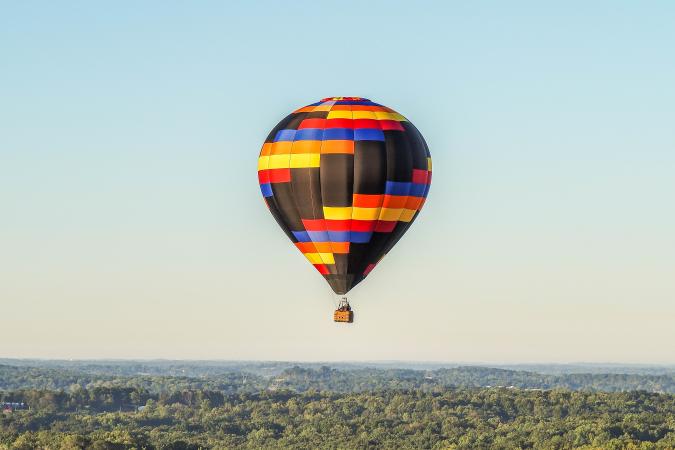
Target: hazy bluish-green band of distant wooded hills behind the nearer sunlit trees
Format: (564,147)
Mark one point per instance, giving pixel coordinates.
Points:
(338,380)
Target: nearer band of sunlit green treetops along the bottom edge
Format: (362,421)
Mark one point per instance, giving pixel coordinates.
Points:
(463,418)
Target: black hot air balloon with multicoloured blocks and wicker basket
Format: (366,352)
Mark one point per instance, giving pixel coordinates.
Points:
(344,178)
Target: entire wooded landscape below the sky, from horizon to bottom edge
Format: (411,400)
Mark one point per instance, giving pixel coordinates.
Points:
(219,405)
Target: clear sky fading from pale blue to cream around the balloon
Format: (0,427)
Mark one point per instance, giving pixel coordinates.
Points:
(132,225)
